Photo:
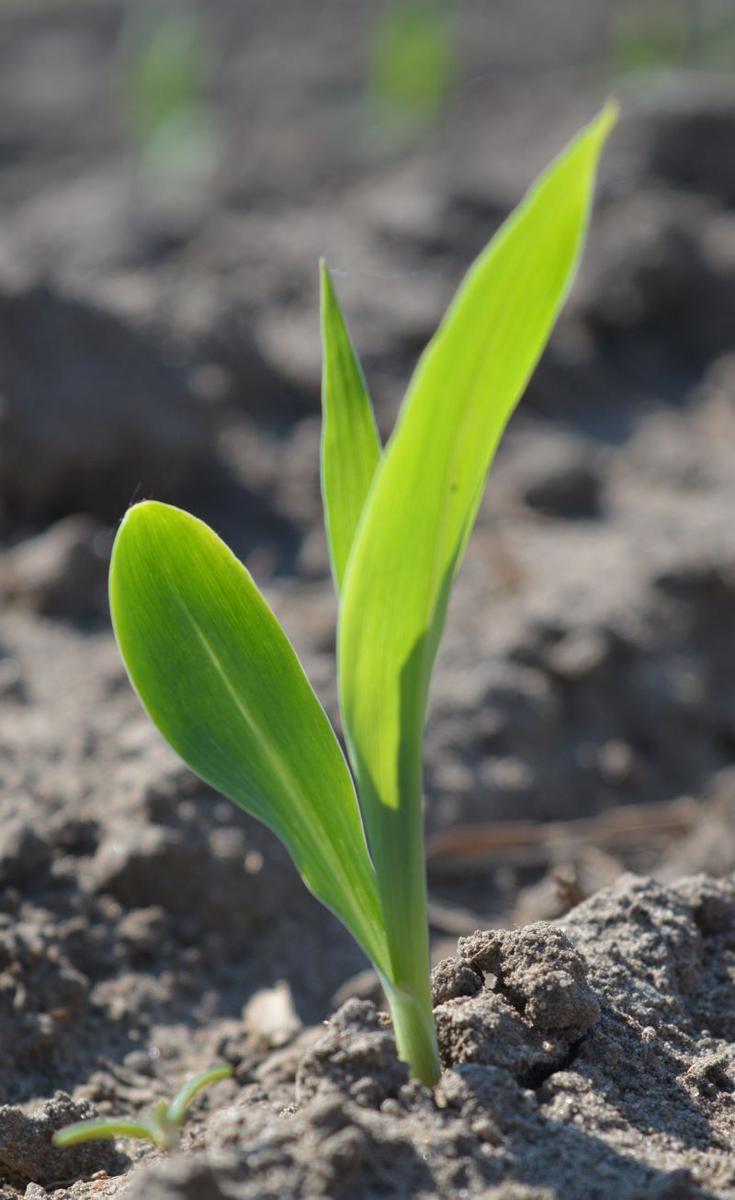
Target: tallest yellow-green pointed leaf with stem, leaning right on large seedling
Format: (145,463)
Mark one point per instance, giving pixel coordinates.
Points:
(421,512)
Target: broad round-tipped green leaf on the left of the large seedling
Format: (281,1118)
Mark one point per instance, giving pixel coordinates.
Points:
(220,680)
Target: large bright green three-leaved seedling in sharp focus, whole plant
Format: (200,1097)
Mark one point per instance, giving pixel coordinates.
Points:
(217,673)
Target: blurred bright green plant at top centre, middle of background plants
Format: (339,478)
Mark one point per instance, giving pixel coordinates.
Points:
(414,64)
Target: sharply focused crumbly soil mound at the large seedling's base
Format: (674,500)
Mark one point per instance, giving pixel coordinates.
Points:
(591,1064)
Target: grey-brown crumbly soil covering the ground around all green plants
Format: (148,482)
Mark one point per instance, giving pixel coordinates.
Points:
(581,783)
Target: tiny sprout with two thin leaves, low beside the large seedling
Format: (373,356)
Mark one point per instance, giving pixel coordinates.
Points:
(162,1126)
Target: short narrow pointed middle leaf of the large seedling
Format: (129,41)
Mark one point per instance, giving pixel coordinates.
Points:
(351,448)
